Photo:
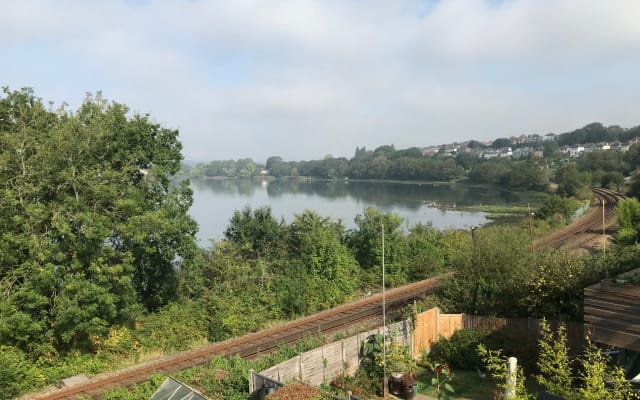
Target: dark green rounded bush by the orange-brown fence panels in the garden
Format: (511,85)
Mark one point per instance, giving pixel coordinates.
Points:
(460,349)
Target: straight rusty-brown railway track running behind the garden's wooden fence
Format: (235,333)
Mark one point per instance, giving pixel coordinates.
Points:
(249,346)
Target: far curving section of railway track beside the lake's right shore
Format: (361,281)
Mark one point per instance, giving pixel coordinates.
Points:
(587,233)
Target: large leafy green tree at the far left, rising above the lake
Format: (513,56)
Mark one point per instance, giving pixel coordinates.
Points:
(91,226)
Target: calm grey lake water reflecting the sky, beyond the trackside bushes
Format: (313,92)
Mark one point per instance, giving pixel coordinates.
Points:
(216,200)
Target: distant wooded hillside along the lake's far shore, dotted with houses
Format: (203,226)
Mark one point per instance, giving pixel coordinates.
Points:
(571,176)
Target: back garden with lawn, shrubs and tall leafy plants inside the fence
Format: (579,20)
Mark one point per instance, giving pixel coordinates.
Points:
(472,365)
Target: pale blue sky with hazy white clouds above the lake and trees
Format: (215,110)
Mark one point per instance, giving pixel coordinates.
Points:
(307,79)
